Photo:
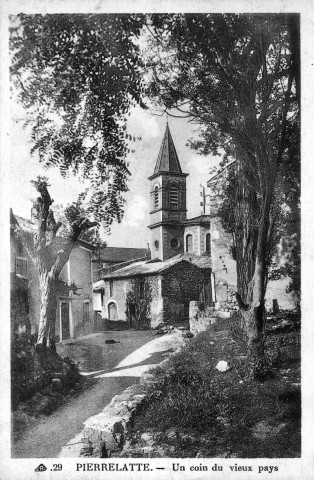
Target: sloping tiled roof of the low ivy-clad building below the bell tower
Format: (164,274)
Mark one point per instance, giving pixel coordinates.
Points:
(145,268)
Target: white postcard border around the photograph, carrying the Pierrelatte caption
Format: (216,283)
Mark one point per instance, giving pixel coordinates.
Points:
(288,468)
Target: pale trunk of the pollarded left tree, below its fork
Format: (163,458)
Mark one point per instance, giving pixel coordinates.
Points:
(48,309)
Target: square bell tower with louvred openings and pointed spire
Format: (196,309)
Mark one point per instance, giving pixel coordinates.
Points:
(168,202)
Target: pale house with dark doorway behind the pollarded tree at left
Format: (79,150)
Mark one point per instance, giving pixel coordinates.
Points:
(75,315)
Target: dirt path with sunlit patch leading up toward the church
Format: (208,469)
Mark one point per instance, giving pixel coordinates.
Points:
(113,367)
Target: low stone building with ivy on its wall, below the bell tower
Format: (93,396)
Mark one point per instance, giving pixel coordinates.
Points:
(146,294)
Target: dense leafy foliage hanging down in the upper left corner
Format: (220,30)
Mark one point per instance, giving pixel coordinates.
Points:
(77,77)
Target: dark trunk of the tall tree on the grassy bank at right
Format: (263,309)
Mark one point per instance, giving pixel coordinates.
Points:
(251,243)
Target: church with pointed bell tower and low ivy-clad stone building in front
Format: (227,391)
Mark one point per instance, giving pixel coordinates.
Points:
(146,293)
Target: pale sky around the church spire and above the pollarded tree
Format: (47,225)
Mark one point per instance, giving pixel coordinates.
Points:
(132,231)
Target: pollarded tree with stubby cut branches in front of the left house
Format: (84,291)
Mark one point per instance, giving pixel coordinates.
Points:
(49,253)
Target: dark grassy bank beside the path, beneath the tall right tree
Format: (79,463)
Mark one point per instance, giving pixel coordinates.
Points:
(194,410)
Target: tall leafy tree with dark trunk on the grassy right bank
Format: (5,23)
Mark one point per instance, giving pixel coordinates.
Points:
(237,77)
